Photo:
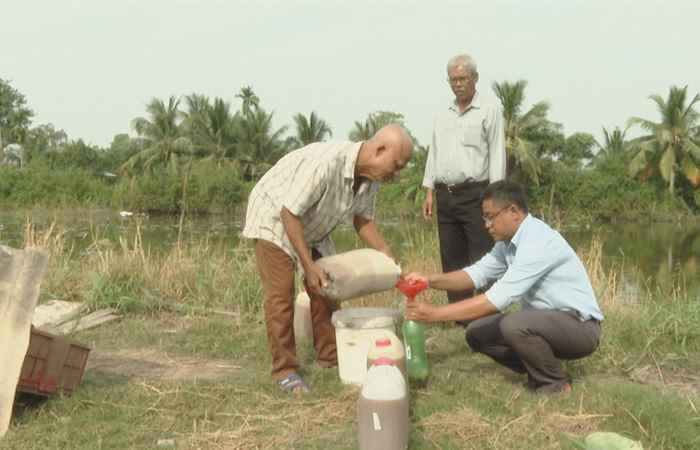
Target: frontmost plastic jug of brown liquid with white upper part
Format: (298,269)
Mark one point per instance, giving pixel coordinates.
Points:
(382,411)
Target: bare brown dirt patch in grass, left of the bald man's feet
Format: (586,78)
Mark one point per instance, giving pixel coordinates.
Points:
(147,363)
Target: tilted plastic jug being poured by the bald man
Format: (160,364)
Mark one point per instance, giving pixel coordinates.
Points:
(358,272)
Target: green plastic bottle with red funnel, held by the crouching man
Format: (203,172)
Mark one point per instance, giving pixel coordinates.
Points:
(414,336)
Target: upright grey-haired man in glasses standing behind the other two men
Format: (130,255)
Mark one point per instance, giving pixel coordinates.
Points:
(468,153)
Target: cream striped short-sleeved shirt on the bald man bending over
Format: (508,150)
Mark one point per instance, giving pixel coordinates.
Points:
(315,184)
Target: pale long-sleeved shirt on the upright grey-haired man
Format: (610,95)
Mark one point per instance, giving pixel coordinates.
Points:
(467,145)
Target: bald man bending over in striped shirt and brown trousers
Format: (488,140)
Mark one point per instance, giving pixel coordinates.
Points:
(291,213)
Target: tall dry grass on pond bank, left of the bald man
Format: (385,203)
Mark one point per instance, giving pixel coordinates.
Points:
(199,274)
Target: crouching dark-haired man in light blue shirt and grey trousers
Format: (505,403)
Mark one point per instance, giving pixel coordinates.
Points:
(534,266)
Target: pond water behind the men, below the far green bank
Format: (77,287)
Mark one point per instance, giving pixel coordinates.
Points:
(655,257)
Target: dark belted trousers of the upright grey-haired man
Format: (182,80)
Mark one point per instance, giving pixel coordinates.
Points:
(463,236)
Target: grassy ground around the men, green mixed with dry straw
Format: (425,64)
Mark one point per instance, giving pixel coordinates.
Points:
(641,383)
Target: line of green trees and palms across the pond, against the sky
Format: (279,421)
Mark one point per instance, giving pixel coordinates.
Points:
(183,135)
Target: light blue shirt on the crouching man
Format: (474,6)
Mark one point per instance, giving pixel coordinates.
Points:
(538,269)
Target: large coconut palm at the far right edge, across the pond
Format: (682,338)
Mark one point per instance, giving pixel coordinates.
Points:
(672,145)
